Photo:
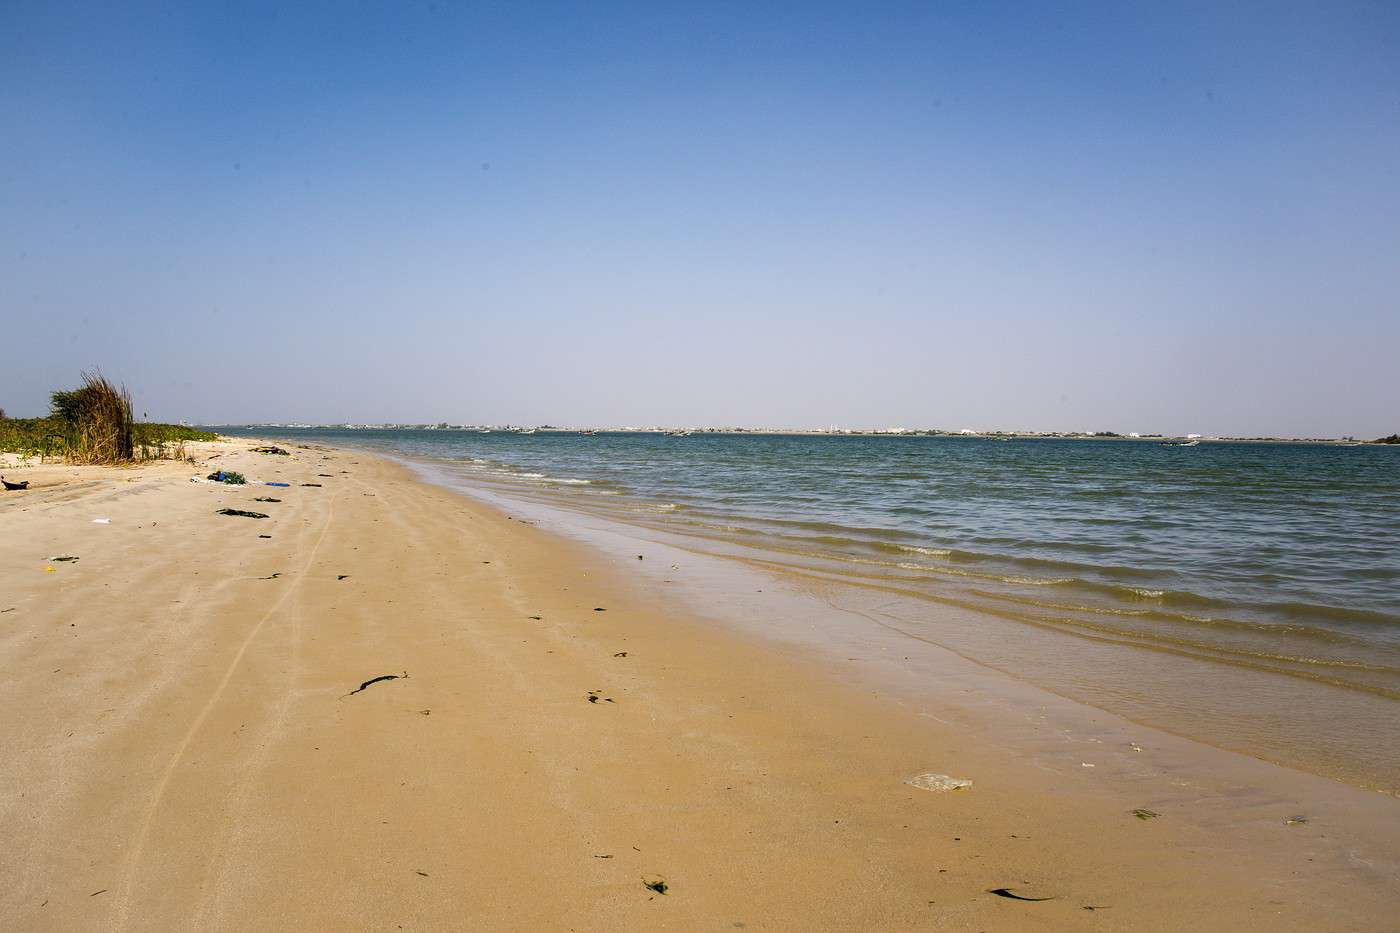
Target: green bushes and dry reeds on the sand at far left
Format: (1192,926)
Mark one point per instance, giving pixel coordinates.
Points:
(93,425)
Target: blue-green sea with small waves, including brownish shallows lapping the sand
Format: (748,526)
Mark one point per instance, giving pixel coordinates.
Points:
(1261,579)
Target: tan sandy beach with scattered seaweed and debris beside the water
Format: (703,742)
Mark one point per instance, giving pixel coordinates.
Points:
(562,749)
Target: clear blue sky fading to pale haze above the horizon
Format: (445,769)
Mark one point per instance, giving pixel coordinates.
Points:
(1178,218)
